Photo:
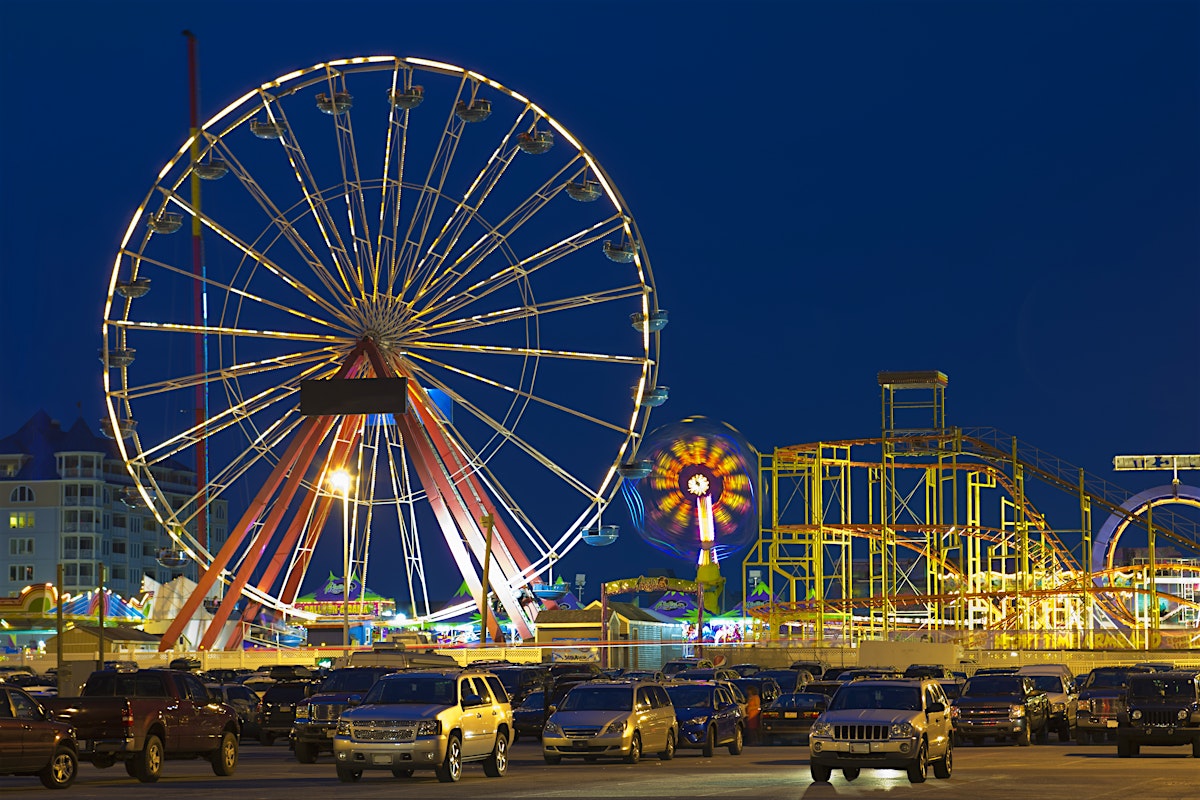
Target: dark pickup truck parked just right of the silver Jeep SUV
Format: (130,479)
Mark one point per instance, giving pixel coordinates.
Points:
(1005,707)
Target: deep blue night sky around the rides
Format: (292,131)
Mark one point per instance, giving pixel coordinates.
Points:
(1009,193)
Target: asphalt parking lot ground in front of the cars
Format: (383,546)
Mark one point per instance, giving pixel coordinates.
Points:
(1001,773)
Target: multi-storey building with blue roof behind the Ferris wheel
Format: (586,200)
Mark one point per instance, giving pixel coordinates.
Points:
(67,498)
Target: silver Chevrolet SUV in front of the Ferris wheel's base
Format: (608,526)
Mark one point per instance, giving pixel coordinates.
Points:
(436,719)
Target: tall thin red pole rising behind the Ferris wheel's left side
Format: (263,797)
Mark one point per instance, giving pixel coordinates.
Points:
(200,306)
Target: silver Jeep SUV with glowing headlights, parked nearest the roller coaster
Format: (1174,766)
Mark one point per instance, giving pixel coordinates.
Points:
(886,724)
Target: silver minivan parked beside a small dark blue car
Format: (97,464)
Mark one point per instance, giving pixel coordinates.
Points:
(613,719)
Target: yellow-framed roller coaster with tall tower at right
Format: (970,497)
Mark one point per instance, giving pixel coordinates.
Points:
(968,536)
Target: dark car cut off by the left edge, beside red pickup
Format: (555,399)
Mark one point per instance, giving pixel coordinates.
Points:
(33,743)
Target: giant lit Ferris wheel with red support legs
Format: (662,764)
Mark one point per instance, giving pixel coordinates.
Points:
(367,219)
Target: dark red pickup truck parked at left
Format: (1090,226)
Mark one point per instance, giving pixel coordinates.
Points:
(147,717)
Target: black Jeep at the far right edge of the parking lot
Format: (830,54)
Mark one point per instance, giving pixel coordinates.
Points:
(1163,709)
